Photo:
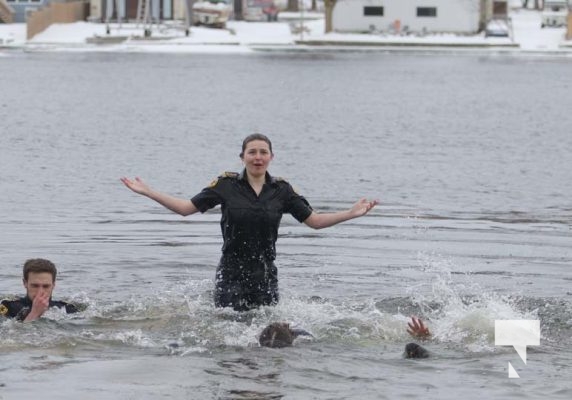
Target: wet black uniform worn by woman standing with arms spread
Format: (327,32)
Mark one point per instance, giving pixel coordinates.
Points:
(246,275)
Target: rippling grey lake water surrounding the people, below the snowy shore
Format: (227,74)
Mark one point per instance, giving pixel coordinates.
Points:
(469,155)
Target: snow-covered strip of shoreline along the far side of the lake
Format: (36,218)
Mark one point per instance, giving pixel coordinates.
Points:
(244,37)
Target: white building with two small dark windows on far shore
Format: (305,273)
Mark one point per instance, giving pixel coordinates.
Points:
(457,16)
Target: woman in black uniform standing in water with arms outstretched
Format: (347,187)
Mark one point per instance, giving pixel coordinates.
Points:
(252,203)
